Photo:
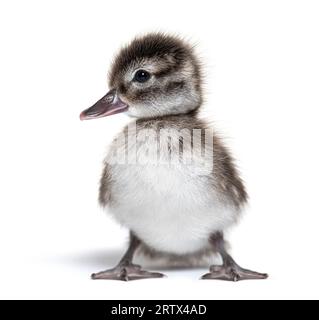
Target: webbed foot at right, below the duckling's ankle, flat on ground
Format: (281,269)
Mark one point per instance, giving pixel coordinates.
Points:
(232,273)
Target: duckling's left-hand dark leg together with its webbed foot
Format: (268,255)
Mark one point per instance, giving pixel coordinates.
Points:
(126,270)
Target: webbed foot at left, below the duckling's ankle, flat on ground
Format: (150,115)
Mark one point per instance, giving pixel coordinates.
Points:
(126,273)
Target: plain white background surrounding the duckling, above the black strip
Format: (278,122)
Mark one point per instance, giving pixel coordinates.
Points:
(262,87)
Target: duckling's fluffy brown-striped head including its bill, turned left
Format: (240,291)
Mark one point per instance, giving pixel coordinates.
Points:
(155,75)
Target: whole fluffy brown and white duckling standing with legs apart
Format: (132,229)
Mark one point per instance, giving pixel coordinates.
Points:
(167,176)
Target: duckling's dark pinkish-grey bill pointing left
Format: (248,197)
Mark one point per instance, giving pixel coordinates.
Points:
(108,105)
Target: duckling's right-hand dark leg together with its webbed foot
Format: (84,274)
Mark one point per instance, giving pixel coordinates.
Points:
(230,270)
